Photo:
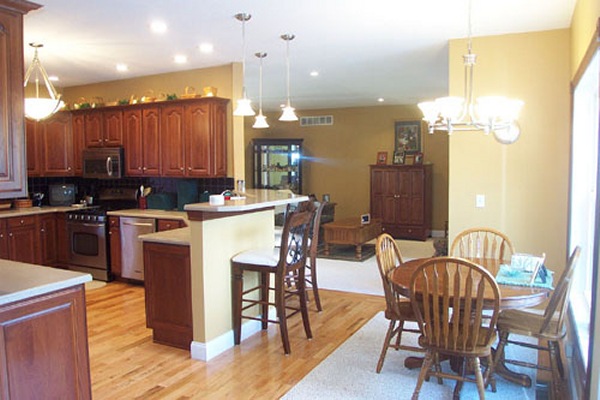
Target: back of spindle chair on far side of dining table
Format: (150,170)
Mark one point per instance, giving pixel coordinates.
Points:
(482,243)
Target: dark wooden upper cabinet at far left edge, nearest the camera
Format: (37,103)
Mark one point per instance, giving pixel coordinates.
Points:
(13,173)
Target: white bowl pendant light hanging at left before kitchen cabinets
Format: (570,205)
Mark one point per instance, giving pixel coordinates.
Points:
(39,108)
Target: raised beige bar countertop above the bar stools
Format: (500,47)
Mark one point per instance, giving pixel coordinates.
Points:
(252,199)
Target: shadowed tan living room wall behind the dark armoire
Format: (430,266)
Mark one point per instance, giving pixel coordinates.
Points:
(338,156)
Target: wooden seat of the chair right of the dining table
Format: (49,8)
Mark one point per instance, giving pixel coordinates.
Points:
(529,322)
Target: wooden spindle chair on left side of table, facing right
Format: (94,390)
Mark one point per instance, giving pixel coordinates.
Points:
(398,309)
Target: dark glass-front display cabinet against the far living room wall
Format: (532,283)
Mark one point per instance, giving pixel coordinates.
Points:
(278,164)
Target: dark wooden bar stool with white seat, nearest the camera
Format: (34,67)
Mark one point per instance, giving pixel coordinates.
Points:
(287,264)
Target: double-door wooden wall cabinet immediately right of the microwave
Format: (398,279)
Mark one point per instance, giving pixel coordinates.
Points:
(141,135)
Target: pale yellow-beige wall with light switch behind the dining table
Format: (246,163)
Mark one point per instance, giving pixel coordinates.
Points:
(525,183)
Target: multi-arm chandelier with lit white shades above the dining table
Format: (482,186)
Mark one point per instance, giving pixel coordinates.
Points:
(496,114)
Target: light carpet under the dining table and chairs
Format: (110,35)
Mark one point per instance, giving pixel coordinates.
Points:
(349,373)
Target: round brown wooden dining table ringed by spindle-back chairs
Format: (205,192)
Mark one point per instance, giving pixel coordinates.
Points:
(512,297)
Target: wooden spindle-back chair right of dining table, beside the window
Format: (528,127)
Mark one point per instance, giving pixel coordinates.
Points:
(548,326)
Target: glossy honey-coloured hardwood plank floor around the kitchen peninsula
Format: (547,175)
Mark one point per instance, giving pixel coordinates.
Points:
(126,364)
